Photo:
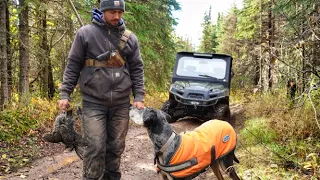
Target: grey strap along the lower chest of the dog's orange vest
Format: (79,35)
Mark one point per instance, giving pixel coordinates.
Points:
(178,167)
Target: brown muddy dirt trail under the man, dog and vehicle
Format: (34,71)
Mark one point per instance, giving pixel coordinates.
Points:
(136,164)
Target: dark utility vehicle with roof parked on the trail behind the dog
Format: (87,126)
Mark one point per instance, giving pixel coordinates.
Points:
(200,87)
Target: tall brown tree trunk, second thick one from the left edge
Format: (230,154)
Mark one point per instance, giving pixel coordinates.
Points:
(24,52)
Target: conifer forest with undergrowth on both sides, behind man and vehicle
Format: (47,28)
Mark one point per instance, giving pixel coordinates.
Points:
(271,42)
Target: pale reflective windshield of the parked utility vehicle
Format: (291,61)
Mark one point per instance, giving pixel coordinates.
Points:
(201,67)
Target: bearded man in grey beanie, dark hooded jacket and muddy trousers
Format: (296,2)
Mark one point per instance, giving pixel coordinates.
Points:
(105,87)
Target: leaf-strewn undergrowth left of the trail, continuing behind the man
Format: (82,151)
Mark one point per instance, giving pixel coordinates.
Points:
(22,127)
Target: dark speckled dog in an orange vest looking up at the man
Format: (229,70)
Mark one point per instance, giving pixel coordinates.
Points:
(177,156)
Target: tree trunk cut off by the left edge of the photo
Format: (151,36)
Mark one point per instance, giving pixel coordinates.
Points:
(3,53)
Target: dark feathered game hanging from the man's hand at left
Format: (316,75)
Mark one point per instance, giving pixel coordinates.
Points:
(64,131)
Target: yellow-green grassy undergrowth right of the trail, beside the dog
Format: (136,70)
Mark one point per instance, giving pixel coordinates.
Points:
(279,138)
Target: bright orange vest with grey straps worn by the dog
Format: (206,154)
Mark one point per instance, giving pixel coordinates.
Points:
(194,152)
